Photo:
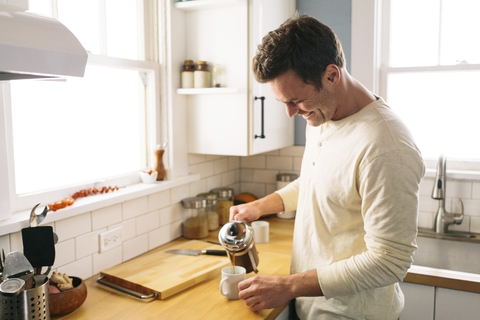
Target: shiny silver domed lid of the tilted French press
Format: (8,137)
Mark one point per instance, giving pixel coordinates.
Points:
(235,236)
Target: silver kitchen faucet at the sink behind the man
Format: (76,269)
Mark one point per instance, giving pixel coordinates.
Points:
(443,218)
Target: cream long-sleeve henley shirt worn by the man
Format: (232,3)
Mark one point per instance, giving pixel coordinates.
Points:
(356,221)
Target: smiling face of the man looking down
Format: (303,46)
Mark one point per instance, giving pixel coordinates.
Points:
(316,107)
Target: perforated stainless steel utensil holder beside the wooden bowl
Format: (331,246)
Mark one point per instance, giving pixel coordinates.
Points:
(28,304)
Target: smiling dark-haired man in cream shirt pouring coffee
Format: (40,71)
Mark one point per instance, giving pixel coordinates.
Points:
(357,194)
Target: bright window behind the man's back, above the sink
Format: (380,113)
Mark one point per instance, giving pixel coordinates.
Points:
(430,72)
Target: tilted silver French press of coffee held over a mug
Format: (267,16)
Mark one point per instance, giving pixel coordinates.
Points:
(237,238)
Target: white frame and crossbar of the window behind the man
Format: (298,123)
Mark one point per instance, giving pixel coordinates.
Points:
(370,48)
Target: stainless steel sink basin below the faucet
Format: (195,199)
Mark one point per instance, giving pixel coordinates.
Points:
(456,251)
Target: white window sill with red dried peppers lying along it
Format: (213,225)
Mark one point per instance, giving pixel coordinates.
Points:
(20,220)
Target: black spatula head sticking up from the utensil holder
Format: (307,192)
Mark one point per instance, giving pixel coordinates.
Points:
(39,246)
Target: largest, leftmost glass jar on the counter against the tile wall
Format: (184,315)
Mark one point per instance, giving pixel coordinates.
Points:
(195,225)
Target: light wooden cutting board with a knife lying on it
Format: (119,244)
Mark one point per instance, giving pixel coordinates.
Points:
(167,273)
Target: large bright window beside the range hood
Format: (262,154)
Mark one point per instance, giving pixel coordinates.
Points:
(69,135)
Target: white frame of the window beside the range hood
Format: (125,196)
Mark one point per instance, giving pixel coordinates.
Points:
(157,129)
